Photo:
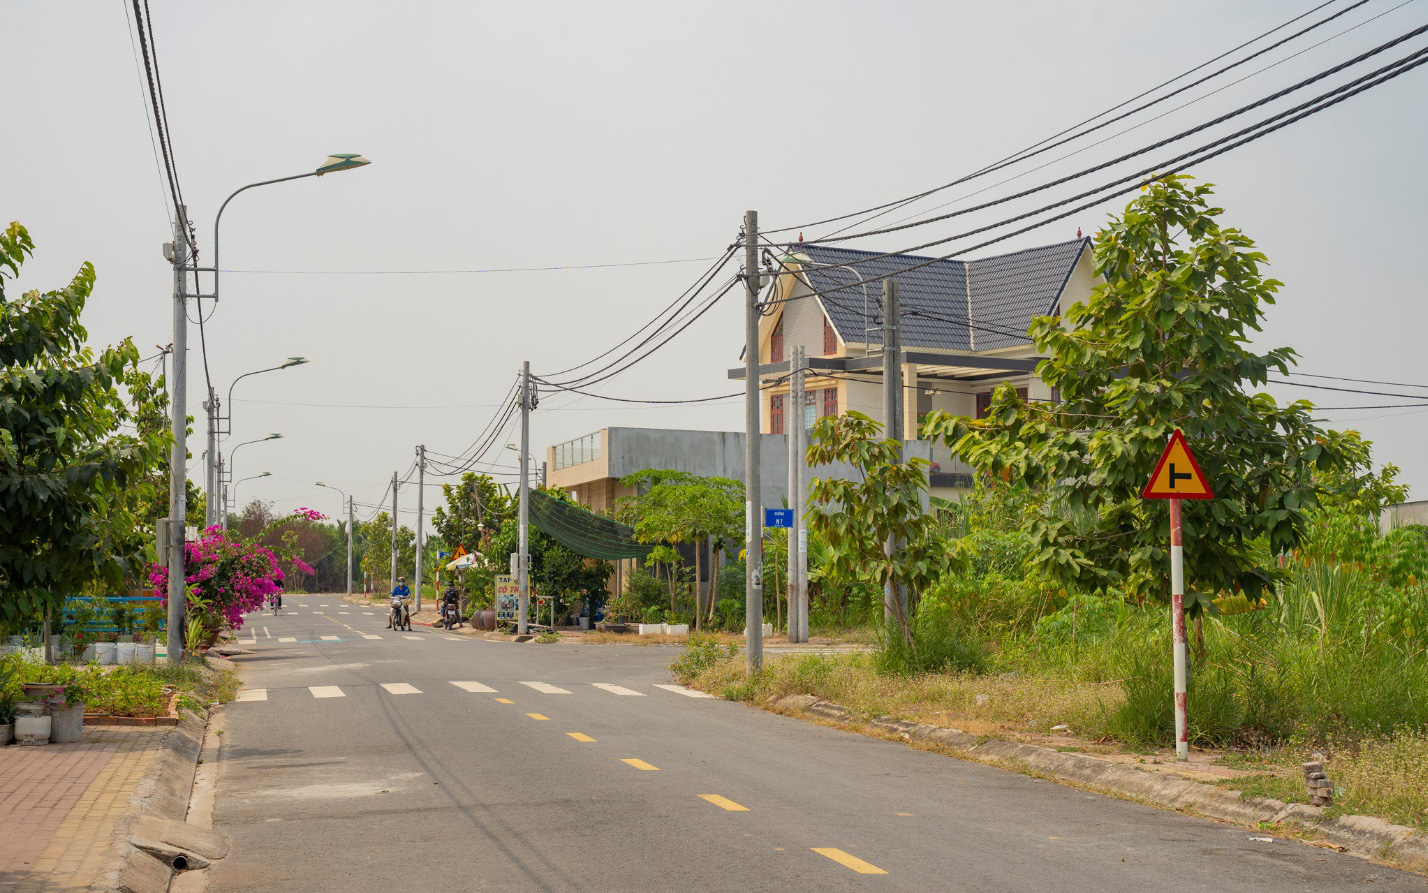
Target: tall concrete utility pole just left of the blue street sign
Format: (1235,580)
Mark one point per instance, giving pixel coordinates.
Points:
(753,502)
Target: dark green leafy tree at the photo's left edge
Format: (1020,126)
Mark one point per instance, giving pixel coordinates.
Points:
(72,459)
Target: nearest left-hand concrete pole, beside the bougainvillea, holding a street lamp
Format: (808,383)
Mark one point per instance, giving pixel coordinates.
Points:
(179,458)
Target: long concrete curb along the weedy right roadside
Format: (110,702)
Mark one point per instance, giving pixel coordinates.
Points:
(1363,837)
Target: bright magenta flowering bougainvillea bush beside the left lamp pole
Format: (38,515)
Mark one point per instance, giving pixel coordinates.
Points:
(226,578)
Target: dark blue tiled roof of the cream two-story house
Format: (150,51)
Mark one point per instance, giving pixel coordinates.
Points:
(966,305)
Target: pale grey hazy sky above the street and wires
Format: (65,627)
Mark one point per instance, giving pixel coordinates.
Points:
(536,135)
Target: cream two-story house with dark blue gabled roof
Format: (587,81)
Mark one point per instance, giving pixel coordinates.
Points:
(963,329)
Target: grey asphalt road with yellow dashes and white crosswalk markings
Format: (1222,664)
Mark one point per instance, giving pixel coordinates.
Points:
(362,759)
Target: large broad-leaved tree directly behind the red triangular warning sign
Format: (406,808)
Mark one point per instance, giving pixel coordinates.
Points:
(1163,344)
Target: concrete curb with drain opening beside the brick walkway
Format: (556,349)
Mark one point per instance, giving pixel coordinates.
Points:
(162,797)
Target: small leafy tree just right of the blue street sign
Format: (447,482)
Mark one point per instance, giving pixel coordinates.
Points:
(858,519)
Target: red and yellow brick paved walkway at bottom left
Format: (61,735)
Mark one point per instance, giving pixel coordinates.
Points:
(61,804)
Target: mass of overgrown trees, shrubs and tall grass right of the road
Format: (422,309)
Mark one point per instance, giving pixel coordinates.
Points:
(1310,624)
